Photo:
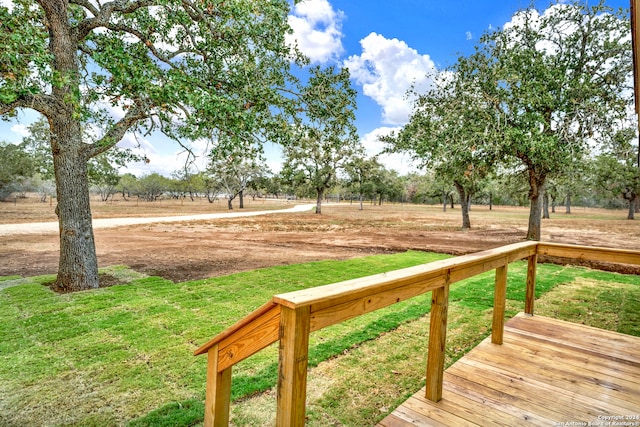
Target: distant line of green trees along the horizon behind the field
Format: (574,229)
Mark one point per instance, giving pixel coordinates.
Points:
(597,181)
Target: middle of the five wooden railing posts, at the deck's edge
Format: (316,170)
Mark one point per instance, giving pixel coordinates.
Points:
(437,341)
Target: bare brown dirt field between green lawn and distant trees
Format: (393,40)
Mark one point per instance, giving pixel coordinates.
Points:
(192,250)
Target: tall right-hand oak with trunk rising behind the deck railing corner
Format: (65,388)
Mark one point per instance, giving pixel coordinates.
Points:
(558,83)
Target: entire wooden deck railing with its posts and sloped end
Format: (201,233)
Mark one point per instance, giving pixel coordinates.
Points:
(291,317)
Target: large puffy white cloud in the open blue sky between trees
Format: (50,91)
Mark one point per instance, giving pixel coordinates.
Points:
(386,69)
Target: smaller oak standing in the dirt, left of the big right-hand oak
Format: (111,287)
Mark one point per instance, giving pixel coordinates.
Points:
(447,133)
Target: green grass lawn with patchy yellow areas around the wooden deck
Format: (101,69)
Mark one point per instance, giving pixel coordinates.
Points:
(123,355)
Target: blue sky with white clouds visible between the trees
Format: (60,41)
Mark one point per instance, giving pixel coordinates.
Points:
(387,45)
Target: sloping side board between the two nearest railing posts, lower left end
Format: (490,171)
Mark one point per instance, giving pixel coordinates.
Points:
(250,338)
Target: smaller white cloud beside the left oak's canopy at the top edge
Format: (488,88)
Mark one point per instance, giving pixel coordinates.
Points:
(317,29)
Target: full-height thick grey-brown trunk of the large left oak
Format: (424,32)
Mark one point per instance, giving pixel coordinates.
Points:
(78,265)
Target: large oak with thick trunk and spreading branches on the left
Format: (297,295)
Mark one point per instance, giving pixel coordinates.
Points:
(186,68)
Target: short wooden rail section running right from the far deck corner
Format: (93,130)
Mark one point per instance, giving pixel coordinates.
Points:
(590,253)
